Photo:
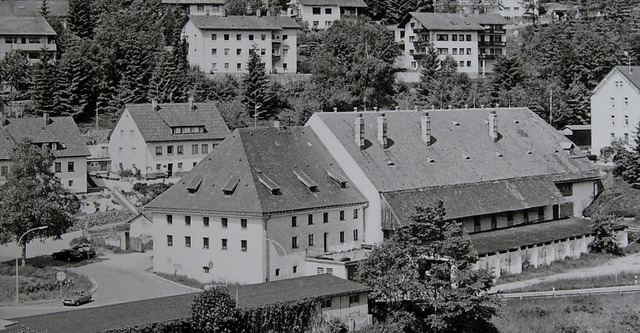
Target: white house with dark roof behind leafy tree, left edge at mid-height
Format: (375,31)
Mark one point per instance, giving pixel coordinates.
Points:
(61,135)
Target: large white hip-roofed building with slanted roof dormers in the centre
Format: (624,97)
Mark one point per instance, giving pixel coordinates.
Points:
(256,208)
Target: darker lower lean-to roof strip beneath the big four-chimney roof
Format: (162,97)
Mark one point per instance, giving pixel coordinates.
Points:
(477,199)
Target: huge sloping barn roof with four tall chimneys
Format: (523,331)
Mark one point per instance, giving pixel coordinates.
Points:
(527,147)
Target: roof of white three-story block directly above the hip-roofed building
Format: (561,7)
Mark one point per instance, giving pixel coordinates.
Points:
(210,22)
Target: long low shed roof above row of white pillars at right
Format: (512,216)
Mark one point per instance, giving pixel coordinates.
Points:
(518,236)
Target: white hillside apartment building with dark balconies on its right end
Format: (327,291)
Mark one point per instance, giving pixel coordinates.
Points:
(474,41)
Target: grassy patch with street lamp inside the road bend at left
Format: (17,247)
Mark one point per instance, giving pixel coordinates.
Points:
(37,279)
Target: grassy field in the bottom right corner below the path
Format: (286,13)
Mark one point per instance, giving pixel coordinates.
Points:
(607,313)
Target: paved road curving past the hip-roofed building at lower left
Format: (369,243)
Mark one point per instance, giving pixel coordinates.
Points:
(120,278)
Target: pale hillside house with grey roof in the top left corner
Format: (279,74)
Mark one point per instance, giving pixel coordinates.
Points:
(32,35)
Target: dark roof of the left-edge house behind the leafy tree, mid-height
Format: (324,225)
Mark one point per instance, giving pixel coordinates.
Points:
(62,130)
